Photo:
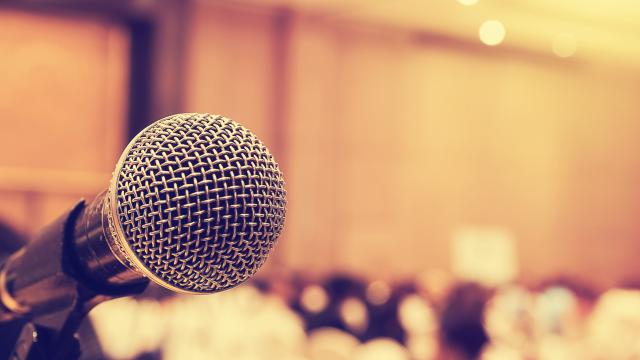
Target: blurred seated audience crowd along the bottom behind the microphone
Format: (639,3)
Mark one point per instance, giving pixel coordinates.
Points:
(346,317)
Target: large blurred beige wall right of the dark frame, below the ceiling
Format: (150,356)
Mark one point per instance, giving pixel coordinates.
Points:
(393,143)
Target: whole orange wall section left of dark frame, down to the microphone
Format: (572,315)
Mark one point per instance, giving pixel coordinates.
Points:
(63,104)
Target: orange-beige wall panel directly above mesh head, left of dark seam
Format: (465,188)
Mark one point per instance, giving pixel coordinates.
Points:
(230,66)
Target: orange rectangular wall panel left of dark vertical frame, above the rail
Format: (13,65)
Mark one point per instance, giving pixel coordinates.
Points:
(57,84)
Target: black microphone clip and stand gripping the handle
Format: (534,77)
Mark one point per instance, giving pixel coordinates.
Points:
(50,330)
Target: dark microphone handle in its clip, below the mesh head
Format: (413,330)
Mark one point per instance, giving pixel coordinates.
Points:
(66,266)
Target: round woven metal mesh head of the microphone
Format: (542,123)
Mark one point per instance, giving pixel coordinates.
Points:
(196,203)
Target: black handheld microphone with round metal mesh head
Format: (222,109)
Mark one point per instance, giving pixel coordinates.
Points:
(195,204)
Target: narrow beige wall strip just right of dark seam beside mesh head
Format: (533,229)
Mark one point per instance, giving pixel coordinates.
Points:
(315,206)
